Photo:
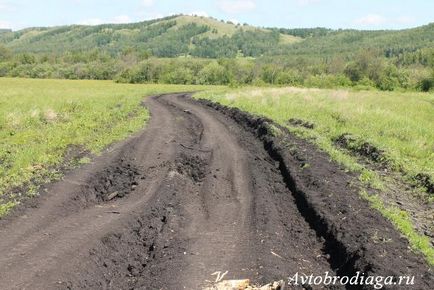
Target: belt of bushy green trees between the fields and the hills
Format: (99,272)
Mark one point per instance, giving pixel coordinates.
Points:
(367,69)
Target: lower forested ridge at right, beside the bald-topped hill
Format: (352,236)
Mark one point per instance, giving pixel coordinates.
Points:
(319,42)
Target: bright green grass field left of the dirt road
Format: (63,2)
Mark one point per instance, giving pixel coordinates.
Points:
(41,120)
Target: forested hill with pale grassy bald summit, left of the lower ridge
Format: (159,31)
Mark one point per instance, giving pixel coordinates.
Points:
(167,37)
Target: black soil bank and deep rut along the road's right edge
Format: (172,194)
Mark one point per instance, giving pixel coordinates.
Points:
(328,199)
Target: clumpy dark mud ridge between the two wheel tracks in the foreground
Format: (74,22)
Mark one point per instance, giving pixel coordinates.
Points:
(129,258)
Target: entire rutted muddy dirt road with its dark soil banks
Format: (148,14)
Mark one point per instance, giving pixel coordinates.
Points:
(202,189)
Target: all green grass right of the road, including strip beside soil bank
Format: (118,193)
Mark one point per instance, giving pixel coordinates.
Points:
(399,125)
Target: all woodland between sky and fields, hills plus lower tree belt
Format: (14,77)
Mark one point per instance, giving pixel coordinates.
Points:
(196,50)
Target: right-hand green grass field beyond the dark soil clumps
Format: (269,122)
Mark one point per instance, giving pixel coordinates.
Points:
(401,124)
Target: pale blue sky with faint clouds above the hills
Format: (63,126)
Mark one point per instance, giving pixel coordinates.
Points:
(362,14)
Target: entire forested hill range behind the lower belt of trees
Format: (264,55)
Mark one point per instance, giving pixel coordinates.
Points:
(204,37)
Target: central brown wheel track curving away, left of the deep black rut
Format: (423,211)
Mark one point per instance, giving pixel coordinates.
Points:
(232,212)
